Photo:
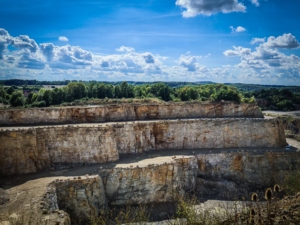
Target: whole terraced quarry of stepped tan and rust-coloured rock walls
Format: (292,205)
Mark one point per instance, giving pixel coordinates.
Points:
(64,165)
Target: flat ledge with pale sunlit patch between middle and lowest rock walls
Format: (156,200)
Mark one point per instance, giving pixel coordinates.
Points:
(141,160)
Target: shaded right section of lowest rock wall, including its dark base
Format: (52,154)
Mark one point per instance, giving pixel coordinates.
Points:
(232,175)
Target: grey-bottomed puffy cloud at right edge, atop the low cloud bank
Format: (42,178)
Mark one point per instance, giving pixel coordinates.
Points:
(284,41)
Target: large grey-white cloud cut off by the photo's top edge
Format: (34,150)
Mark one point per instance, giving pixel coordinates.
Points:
(209,7)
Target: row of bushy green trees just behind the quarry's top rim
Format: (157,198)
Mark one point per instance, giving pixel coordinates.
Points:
(37,96)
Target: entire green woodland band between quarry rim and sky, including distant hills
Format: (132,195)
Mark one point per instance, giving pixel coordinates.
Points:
(32,93)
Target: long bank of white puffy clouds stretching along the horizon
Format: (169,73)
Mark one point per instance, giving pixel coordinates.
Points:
(47,61)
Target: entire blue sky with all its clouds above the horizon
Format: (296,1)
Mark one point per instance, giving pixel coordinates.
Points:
(235,41)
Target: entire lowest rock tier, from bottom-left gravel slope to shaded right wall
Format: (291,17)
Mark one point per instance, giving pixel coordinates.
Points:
(153,180)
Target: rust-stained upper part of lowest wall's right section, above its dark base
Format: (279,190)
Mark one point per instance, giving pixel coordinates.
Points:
(250,168)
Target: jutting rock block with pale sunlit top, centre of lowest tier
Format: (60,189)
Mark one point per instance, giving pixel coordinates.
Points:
(142,183)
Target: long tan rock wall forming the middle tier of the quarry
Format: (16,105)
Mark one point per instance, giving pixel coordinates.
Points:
(27,150)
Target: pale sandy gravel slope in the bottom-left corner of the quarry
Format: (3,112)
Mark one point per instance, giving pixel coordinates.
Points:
(33,202)
